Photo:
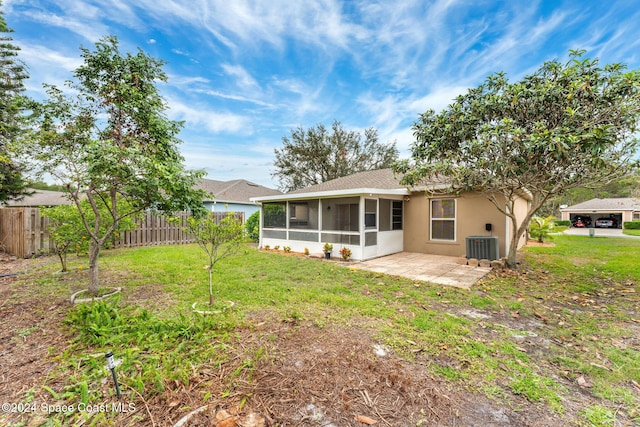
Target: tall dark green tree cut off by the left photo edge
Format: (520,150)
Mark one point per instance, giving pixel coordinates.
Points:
(12,75)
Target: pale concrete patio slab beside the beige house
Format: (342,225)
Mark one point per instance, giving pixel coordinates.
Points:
(438,269)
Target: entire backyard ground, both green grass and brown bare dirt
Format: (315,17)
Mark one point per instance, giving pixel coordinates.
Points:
(311,342)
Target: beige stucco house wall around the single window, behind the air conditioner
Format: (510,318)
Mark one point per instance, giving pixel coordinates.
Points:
(473,211)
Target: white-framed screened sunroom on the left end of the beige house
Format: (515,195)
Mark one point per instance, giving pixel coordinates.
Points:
(369,223)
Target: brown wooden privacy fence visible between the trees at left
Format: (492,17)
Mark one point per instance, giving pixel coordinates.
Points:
(24,232)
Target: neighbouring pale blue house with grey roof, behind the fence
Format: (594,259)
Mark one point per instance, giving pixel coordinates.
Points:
(234,196)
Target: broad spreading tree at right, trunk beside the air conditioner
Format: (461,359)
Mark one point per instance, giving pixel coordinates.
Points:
(569,124)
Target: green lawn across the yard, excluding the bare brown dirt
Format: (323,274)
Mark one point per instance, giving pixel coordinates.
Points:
(571,315)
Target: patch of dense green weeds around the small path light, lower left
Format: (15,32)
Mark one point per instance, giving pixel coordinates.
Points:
(152,351)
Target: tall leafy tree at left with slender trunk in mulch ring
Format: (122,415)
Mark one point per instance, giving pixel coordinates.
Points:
(112,145)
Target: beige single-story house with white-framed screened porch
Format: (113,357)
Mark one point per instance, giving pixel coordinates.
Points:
(373,215)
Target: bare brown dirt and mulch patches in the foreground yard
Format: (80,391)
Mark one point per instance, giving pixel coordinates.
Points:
(308,376)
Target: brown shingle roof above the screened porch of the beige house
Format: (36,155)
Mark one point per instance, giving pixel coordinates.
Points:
(383,179)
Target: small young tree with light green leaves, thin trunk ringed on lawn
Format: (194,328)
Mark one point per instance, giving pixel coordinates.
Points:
(219,239)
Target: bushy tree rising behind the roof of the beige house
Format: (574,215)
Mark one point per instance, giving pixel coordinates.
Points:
(318,154)
